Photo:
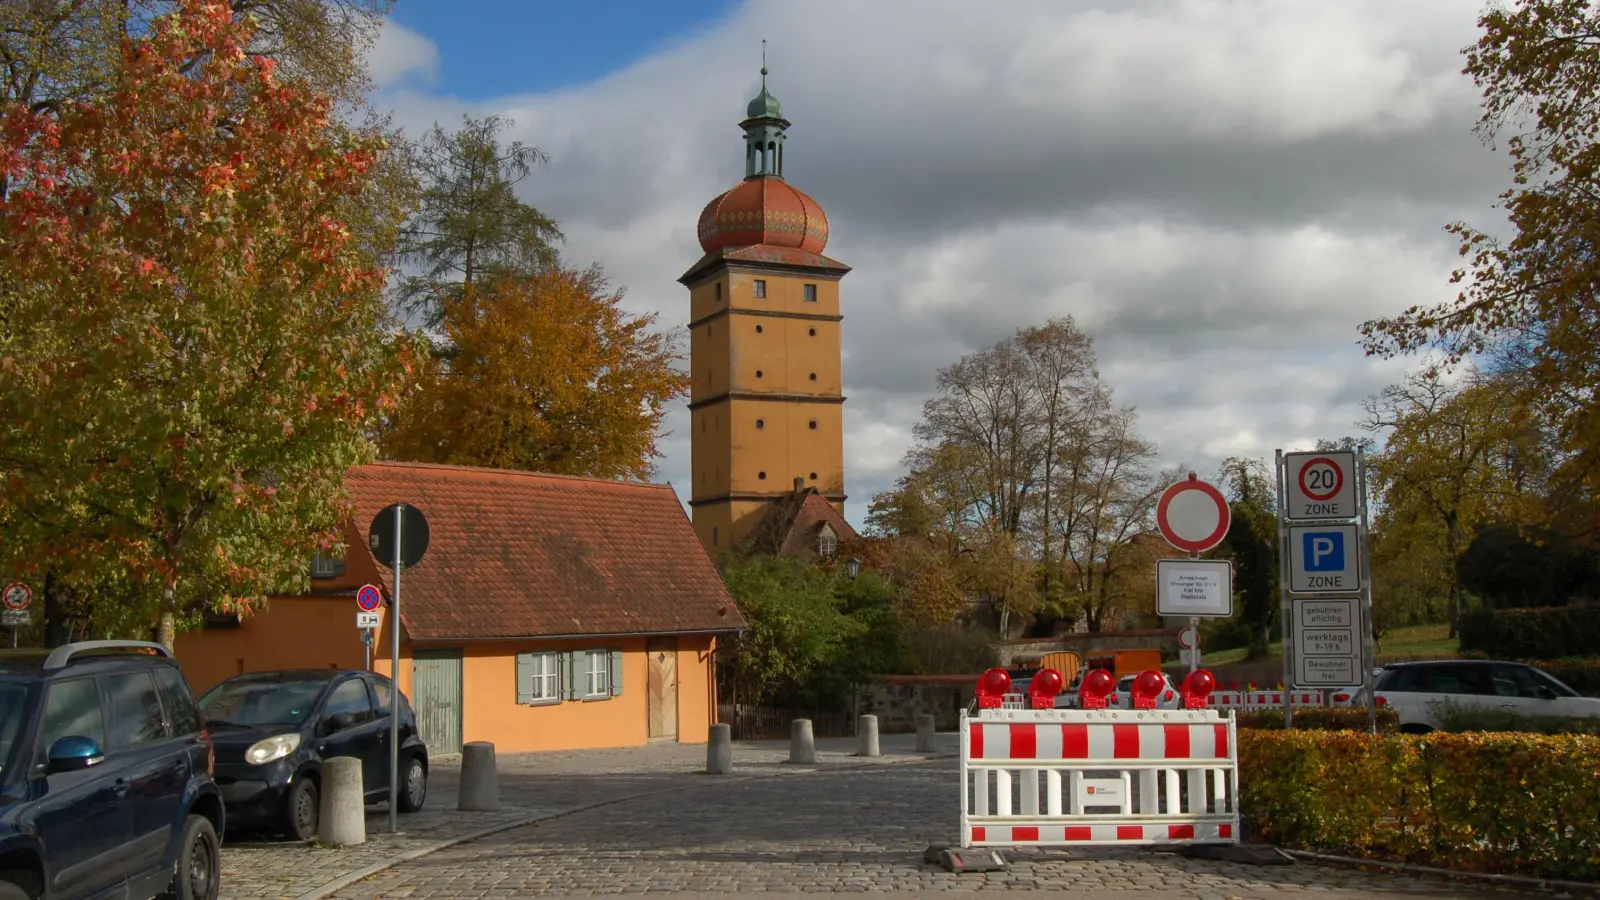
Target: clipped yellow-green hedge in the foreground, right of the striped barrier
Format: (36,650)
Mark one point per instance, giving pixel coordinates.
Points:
(1497,803)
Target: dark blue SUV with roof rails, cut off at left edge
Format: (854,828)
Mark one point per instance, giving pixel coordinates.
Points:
(105,777)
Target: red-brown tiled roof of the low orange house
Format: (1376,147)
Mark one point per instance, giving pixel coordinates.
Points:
(522,555)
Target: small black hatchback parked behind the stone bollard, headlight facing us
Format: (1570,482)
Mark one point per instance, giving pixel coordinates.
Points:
(274,729)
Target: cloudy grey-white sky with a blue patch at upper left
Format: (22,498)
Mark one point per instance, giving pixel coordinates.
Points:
(1218,191)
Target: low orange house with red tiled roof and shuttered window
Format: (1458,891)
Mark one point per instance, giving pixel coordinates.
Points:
(550,613)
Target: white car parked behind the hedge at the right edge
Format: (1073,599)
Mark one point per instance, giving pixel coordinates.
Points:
(1423,693)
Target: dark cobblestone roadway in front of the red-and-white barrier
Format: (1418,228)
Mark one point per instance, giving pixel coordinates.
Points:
(860,830)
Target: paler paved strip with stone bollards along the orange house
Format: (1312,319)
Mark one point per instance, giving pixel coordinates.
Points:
(532,785)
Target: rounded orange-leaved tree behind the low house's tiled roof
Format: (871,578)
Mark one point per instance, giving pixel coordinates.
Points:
(548,374)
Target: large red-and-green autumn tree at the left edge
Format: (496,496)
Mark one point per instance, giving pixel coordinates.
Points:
(193,347)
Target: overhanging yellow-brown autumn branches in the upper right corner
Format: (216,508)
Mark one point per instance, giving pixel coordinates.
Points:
(1538,66)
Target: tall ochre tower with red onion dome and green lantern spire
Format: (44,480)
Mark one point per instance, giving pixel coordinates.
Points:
(767,396)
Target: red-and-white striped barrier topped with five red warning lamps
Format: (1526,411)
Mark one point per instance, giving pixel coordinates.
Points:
(1044,777)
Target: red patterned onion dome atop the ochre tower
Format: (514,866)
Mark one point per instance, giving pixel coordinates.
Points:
(764,211)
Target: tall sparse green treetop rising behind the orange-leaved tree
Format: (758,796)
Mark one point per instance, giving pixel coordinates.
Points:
(470,222)
